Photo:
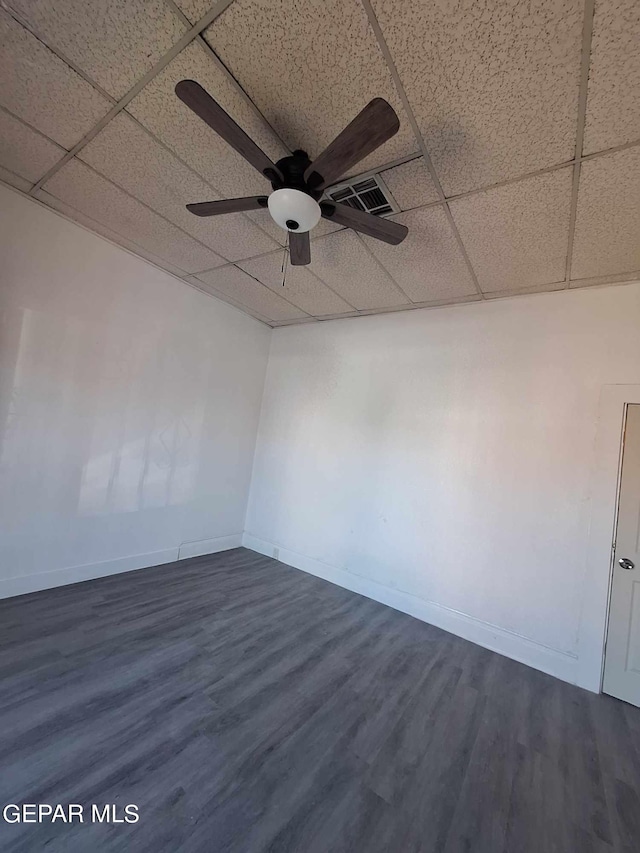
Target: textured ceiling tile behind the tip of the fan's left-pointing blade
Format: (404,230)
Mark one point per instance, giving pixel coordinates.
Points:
(126,154)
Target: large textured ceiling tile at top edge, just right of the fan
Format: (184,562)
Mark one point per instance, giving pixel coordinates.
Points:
(493,84)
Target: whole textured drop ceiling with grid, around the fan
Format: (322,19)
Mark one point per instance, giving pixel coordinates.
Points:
(516,166)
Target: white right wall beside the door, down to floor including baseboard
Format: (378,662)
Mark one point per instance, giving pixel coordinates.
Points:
(440,461)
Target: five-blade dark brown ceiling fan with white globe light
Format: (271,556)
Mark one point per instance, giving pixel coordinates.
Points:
(298,183)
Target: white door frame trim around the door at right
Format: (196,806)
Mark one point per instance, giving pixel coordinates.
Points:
(602,514)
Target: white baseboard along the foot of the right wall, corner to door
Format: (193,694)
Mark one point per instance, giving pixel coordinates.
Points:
(557,663)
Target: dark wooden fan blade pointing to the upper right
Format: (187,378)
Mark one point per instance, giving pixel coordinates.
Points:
(370,128)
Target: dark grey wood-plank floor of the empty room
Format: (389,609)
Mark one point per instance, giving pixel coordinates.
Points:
(245,706)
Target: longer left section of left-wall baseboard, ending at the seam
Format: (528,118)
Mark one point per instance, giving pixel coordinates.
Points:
(89,571)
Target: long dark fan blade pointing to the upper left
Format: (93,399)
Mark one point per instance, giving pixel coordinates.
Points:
(203,105)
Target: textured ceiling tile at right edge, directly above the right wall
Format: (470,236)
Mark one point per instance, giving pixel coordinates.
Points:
(607,238)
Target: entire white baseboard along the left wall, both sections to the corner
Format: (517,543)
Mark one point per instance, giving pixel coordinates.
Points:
(74,574)
